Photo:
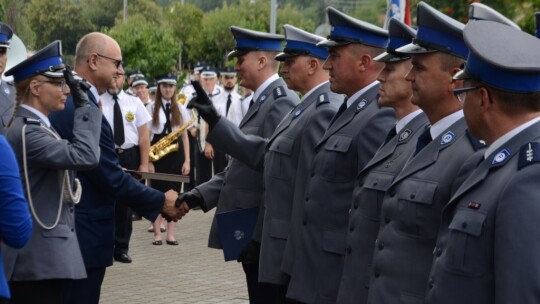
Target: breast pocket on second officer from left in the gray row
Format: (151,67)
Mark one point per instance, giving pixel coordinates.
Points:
(279,158)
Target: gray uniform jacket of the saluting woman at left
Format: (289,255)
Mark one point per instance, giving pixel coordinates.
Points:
(54,253)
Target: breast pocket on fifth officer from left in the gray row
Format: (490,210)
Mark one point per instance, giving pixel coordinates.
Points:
(418,216)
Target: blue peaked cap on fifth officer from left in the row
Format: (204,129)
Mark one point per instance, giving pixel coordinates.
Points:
(436,33)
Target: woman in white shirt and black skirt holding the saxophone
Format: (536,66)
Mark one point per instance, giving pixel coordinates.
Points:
(167,116)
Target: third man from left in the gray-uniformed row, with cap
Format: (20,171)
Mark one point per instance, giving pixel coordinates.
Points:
(349,143)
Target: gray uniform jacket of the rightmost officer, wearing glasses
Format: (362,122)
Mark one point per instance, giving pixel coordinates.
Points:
(488,244)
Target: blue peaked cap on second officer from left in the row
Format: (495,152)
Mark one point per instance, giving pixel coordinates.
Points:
(300,42)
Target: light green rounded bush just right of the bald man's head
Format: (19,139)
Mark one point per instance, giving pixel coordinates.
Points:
(146,45)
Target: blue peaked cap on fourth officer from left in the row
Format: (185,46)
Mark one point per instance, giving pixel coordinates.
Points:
(400,35)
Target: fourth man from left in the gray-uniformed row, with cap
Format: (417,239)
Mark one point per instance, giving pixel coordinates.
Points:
(378,174)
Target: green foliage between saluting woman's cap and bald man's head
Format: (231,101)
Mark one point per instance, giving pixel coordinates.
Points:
(57,19)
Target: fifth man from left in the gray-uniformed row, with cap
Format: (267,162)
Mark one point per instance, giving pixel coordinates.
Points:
(412,205)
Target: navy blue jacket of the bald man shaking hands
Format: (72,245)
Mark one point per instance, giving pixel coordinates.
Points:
(102,186)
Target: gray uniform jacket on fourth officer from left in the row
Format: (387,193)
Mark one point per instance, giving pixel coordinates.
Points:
(364,218)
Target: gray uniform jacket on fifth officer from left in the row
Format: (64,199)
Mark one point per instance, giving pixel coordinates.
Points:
(411,215)
